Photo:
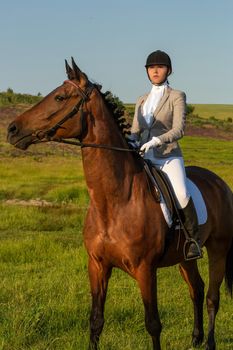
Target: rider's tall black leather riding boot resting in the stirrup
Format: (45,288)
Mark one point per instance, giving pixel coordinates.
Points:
(190,222)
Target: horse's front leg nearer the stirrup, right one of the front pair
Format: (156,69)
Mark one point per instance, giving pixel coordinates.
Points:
(147,282)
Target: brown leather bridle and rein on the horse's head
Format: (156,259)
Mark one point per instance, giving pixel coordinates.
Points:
(78,108)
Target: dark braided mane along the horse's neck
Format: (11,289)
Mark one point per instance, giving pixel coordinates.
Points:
(116,106)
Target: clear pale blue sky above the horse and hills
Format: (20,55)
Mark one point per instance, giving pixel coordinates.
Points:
(110,41)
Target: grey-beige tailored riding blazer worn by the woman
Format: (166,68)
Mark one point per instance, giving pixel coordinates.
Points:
(168,124)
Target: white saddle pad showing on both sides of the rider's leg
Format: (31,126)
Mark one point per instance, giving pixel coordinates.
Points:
(198,202)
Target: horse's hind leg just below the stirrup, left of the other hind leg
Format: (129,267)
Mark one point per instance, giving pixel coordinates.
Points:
(190,274)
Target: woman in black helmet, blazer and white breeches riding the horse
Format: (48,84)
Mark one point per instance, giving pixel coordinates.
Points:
(158,123)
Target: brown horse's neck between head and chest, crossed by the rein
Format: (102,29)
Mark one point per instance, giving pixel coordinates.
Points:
(109,173)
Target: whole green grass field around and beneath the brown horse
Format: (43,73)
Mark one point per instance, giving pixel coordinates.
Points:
(44,290)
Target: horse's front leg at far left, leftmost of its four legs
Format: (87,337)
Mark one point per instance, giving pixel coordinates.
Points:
(99,275)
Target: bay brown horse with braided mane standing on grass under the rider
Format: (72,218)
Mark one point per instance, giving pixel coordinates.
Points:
(125,227)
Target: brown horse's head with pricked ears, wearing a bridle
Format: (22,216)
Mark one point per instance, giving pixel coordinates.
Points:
(58,115)
